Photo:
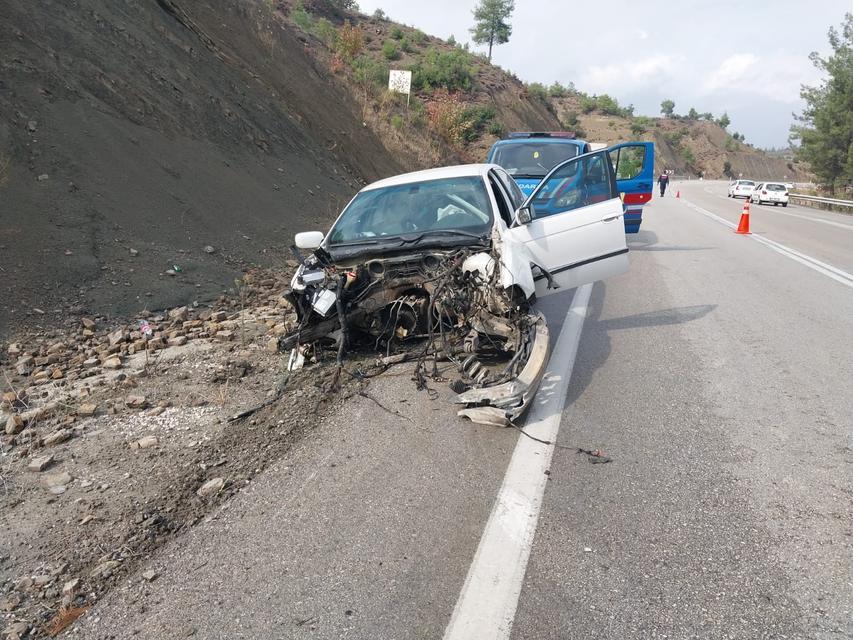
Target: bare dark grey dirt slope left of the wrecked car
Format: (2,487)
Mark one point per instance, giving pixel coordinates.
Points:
(160,128)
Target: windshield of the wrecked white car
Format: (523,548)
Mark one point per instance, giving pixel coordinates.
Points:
(455,206)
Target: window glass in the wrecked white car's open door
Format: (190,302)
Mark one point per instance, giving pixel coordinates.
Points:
(582,181)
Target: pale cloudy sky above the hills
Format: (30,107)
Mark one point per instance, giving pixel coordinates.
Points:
(748,59)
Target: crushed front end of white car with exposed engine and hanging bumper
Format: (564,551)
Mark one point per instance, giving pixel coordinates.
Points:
(425,307)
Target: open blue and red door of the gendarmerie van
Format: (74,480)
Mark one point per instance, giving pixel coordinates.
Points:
(634,165)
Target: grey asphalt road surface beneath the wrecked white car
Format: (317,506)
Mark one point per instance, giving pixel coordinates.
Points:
(717,376)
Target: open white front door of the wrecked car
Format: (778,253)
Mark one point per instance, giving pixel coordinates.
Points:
(571,226)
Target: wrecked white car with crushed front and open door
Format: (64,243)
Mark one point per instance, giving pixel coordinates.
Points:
(446,264)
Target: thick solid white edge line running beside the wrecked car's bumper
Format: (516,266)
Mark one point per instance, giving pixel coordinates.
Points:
(488,601)
